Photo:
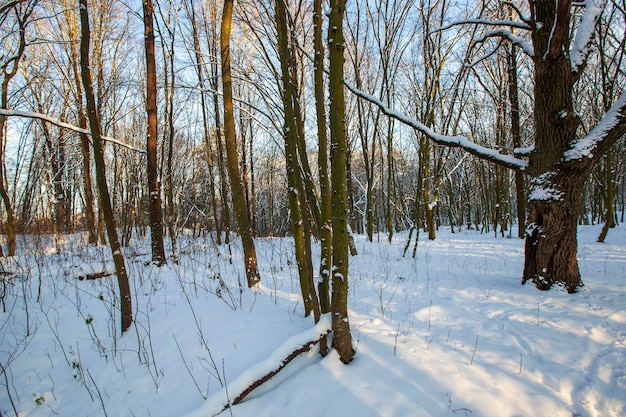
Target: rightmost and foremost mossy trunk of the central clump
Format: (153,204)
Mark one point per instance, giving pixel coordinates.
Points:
(342,339)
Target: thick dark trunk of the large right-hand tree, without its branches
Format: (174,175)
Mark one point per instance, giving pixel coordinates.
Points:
(554,203)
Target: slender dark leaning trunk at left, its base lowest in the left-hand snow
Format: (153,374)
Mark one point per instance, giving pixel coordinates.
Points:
(103,190)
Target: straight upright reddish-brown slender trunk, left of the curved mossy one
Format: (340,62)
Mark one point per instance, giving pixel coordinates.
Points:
(154,189)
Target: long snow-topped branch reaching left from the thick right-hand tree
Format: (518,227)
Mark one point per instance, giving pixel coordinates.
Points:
(457,141)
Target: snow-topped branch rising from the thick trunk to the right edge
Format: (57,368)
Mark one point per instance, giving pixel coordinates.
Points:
(611,128)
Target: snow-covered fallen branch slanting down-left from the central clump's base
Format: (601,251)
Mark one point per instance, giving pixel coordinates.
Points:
(235,391)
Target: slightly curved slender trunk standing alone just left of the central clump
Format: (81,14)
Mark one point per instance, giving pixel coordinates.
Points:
(237,191)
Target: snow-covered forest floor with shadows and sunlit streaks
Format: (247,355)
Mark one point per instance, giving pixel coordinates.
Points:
(451,332)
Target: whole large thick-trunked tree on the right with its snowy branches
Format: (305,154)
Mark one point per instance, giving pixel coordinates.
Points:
(557,165)
